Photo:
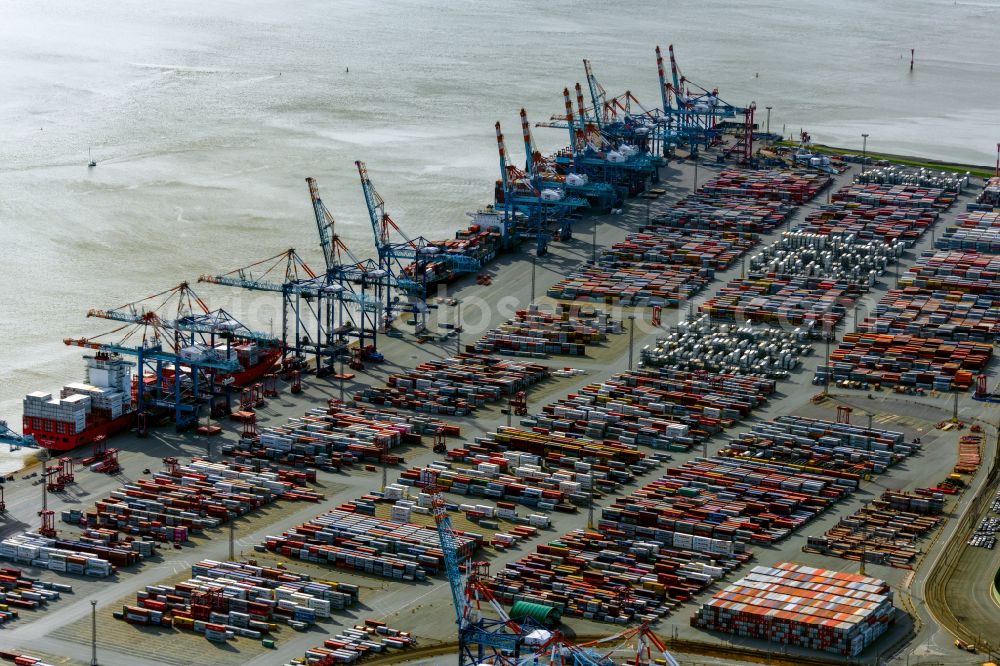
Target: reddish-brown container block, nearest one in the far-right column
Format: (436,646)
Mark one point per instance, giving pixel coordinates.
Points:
(905,360)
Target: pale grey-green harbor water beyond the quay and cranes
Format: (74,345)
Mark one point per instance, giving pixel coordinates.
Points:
(205,118)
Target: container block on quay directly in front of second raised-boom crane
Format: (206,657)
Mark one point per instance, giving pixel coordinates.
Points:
(457,385)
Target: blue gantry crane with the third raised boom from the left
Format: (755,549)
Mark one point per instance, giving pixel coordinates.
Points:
(529,211)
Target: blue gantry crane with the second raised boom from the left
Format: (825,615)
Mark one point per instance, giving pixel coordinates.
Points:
(411,264)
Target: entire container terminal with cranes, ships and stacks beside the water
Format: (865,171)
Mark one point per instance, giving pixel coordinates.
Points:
(681,392)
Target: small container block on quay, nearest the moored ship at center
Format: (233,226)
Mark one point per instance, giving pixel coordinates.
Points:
(537,334)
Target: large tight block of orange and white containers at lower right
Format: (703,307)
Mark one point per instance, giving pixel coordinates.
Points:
(802,606)
